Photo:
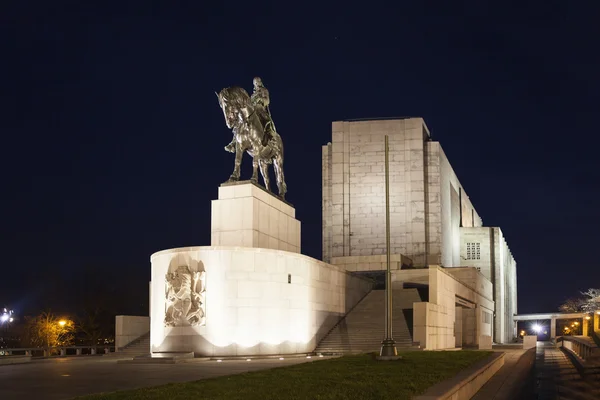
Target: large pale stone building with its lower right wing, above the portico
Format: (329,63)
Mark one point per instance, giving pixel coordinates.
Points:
(433,221)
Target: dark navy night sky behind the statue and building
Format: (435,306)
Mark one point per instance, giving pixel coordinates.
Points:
(112,137)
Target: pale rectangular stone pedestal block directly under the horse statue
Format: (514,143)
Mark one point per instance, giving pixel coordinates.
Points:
(246,215)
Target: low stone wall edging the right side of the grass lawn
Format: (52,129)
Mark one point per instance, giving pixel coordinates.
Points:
(466,383)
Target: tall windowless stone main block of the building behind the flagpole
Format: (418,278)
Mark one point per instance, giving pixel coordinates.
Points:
(427,202)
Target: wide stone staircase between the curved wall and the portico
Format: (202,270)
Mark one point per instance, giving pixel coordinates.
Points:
(363,328)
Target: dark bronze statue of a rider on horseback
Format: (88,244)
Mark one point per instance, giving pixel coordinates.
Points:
(254,132)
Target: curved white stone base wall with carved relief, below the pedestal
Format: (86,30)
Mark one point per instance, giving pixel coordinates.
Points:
(236,301)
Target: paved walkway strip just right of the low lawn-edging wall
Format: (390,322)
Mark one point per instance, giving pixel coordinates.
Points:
(511,378)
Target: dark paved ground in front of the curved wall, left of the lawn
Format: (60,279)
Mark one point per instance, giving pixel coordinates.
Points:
(63,378)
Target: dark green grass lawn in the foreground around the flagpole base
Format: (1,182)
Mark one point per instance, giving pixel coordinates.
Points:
(350,377)
